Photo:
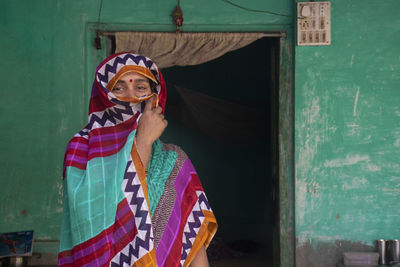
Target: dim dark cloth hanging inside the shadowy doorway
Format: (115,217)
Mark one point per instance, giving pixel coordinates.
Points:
(223,121)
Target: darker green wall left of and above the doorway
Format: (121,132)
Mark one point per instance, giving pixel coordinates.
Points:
(47,61)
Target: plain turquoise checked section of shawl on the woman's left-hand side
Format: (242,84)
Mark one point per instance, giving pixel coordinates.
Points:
(93,196)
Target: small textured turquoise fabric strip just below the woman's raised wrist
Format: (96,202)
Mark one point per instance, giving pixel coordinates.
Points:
(161,164)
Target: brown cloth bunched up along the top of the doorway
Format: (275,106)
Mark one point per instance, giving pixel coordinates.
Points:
(171,49)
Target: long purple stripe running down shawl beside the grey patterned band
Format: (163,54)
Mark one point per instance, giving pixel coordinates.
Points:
(171,231)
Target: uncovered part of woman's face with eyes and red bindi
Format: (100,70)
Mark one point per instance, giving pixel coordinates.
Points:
(132,84)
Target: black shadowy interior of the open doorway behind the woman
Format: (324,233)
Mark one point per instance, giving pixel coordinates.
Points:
(236,161)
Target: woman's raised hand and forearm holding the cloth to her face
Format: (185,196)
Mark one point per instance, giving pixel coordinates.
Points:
(150,127)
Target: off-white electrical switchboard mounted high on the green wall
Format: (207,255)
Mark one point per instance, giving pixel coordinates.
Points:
(313,23)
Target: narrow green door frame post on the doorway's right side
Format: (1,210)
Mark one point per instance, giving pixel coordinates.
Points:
(286,153)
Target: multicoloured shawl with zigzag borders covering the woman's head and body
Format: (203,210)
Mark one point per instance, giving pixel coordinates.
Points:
(115,215)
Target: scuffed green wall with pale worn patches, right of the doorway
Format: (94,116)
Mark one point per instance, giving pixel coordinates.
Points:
(348,130)
